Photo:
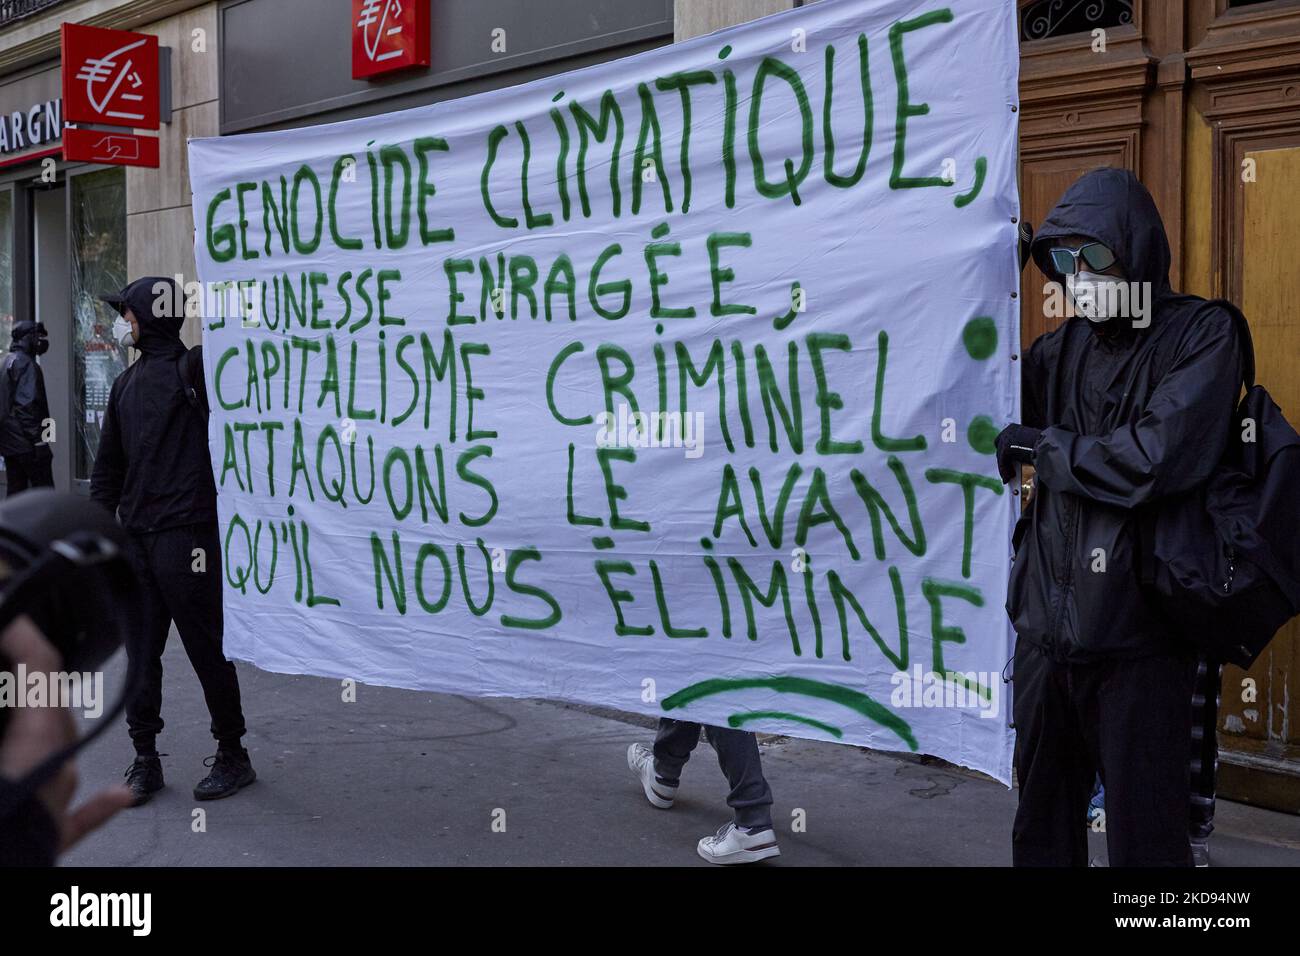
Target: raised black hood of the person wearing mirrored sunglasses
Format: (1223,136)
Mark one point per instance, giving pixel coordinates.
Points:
(1113,207)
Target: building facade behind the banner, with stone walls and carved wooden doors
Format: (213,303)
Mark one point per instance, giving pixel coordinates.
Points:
(1201,98)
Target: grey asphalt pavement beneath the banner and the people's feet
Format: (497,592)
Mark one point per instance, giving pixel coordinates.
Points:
(402,778)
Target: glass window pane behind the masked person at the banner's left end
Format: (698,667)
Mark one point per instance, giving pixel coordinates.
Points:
(99,266)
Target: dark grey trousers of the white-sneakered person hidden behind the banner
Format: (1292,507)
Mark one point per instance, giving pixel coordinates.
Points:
(751,798)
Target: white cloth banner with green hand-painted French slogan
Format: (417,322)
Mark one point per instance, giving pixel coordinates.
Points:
(669,384)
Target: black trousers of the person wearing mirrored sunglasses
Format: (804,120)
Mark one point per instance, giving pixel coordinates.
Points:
(1128,721)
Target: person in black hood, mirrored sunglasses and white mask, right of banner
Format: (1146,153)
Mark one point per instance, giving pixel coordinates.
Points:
(1120,414)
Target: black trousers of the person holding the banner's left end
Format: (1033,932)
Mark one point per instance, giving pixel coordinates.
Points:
(175,589)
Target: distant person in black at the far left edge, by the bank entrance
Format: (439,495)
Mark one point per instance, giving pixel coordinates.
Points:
(24,412)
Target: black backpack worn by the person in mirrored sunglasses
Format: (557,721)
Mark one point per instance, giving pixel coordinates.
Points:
(1224,560)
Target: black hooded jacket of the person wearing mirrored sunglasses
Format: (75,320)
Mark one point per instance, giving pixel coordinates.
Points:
(1129,419)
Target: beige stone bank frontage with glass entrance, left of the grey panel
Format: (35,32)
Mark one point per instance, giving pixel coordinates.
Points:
(72,231)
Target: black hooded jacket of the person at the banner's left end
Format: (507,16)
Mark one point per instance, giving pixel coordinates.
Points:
(153,466)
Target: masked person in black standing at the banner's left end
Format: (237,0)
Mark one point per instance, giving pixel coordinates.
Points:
(153,470)
